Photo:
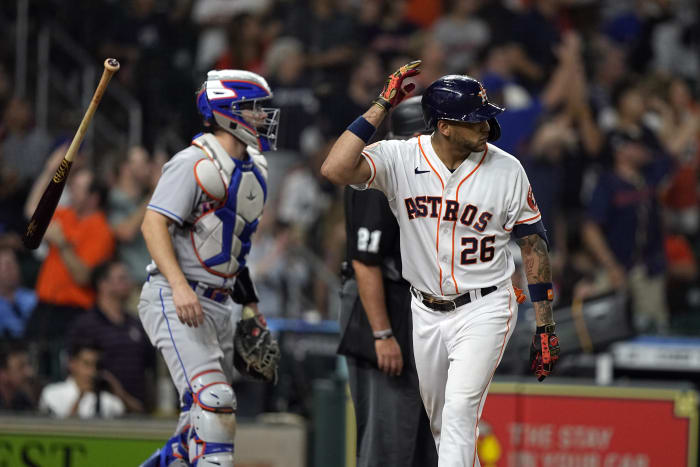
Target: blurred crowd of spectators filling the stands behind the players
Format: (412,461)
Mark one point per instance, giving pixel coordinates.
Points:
(602,110)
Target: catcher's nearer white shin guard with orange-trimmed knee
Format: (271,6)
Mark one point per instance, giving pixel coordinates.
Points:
(213,421)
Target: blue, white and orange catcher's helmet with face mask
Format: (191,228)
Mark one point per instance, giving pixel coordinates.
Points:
(225,97)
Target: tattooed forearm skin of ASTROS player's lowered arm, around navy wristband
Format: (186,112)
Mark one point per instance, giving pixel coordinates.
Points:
(537,270)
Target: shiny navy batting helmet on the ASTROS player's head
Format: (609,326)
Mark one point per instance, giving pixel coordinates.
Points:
(459,98)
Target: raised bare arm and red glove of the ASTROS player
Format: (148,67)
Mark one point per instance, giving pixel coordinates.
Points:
(344,164)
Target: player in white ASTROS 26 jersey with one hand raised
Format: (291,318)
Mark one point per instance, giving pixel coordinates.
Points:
(458,199)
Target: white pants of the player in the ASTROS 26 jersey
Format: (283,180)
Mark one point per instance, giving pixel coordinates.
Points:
(456,354)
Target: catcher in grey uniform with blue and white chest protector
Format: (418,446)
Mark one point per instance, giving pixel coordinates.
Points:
(198,228)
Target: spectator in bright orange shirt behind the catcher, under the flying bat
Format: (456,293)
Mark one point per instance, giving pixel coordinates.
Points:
(79,239)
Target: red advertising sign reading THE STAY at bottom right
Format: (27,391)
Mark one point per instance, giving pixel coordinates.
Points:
(525,425)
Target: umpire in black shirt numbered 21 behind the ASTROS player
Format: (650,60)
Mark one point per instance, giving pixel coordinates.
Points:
(375,320)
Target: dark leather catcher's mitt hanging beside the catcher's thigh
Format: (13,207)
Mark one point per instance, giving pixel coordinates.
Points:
(256,353)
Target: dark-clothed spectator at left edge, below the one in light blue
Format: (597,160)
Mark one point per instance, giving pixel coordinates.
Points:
(17,391)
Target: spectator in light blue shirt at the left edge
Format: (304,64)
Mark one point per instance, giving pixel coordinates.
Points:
(16,303)
